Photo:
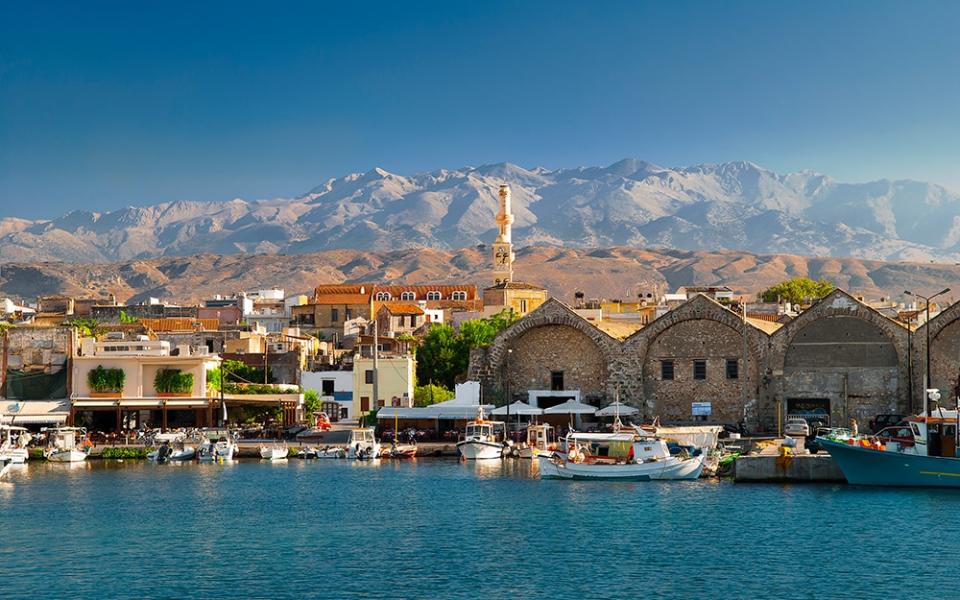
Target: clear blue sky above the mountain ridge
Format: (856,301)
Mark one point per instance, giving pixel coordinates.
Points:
(105,104)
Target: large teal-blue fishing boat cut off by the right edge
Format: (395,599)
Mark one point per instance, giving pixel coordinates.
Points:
(920,452)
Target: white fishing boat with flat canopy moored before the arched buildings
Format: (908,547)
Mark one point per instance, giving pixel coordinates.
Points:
(621,455)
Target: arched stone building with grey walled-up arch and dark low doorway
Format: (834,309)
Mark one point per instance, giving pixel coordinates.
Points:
(840,359)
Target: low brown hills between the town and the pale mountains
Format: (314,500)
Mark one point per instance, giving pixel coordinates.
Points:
(618,272)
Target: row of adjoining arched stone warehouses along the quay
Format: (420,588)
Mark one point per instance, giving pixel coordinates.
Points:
(837,361)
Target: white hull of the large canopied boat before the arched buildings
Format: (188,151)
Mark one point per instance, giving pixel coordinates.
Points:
(668,469)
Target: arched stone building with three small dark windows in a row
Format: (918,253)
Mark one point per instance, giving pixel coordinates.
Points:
(700,352)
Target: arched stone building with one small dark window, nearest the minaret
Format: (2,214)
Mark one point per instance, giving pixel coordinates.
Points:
(555,353)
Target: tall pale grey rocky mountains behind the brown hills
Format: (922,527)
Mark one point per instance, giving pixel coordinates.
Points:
(631,203)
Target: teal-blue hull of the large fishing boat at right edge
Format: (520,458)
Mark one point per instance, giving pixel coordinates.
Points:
(866,466)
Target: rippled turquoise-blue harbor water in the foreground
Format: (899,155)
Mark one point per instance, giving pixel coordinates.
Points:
(444,529)
